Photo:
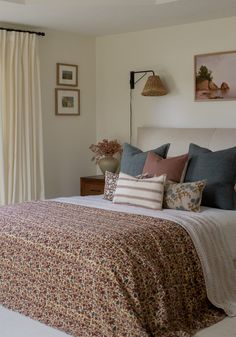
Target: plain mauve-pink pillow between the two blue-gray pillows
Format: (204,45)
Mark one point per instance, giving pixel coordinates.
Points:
(173,167)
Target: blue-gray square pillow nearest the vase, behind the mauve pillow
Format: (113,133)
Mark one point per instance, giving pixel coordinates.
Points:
(133,159)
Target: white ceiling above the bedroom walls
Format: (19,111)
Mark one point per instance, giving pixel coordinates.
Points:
(101,17)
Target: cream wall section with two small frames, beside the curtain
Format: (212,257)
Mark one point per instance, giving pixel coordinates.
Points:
(66,138)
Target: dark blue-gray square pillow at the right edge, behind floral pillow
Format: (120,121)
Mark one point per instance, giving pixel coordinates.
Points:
(219,169)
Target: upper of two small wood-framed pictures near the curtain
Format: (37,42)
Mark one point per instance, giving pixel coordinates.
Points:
(67,74)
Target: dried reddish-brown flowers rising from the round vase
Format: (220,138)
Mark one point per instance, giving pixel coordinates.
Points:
(105,148)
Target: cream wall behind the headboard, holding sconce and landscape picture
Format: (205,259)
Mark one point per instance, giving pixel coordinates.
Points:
(169,51)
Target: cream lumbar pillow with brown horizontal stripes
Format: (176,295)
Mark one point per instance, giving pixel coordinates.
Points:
(140,192)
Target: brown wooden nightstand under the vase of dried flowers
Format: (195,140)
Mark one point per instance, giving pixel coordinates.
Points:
(92,185)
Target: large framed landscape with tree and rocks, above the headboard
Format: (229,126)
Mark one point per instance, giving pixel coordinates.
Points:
(215,76)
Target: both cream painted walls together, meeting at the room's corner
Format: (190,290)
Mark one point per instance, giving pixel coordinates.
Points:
(104,68)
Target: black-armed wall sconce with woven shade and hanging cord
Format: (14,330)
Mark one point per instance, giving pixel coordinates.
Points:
(153,87)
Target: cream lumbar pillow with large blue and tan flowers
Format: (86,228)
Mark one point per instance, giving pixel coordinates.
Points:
(185,197)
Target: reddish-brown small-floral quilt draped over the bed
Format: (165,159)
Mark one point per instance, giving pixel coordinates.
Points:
(97,273)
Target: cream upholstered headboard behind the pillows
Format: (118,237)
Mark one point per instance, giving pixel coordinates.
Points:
(214,139)
